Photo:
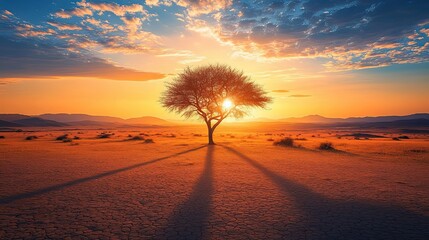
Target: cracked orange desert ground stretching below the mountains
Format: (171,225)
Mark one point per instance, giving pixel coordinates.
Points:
(242,188)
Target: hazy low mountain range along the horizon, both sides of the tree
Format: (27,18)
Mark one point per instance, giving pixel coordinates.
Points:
(64,119)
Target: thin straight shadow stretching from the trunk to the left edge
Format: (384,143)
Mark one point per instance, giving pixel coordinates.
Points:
(61,186)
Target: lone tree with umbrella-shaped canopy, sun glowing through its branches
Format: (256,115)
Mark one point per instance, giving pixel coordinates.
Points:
(213,92)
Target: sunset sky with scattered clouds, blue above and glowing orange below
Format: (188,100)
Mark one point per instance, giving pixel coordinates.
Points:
(336,58)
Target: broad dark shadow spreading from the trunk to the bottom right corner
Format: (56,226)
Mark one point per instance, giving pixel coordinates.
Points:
(327,218)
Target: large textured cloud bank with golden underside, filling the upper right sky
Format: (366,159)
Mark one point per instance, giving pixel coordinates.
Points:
(342,31)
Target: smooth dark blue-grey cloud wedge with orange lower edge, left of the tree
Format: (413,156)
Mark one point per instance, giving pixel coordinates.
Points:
(24,59)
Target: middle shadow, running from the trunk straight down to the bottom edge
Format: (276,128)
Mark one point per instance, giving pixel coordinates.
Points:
(190,219)
